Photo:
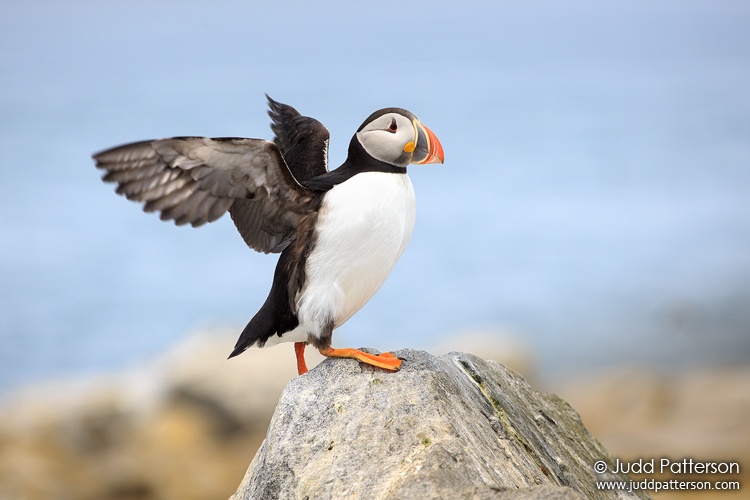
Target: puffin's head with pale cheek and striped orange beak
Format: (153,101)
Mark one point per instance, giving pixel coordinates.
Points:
(397,137)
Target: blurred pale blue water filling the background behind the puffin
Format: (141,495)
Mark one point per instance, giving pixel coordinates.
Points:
(594,201)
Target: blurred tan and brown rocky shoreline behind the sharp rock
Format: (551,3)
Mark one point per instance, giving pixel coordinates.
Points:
(188,424)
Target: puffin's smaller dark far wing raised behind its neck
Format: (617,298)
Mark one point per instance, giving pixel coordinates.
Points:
(303,140)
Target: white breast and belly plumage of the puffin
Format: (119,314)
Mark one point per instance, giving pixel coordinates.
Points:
(363,228)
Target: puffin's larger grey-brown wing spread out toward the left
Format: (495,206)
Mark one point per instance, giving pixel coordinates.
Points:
(194,180)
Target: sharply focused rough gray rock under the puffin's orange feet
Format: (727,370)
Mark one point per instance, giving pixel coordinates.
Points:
(453,426)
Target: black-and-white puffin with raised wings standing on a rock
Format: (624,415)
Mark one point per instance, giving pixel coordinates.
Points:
(339,232)
